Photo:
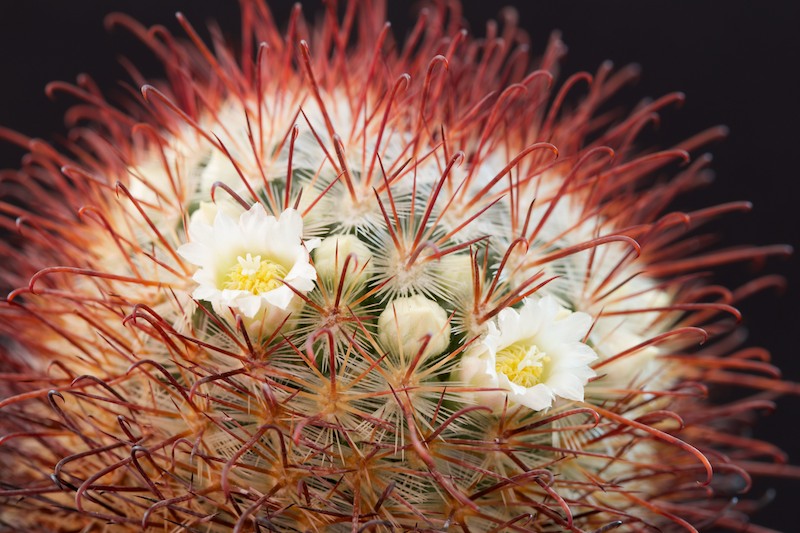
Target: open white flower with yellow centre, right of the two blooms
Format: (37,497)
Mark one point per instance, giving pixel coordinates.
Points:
(530,356)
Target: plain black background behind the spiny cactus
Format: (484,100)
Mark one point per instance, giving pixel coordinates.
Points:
(735,60)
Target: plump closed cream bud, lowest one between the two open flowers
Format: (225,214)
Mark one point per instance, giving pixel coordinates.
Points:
(405,323)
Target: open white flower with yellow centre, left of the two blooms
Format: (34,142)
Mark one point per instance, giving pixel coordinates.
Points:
(248,265)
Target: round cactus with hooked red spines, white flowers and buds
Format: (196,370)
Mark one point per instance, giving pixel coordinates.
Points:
(331,281)
